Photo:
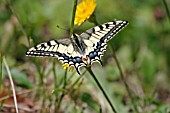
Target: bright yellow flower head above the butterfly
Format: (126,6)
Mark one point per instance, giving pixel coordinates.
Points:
(84,11)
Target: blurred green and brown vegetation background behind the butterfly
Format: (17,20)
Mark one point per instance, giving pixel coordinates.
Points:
(142,49)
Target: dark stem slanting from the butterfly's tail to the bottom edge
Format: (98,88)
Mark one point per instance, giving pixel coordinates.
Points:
(101,88)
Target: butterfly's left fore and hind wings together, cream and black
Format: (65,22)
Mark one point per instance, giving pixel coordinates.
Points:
(62,49)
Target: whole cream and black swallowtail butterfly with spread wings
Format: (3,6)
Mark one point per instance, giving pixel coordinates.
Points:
(80,50)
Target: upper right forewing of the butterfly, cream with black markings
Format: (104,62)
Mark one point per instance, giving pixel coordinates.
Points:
(103,32)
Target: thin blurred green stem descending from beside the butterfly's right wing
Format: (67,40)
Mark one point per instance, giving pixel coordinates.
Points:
(124,81)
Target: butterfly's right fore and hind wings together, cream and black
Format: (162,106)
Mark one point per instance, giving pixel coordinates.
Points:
(96,38)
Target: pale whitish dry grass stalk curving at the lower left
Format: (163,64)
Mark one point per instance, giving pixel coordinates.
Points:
(12,84)
